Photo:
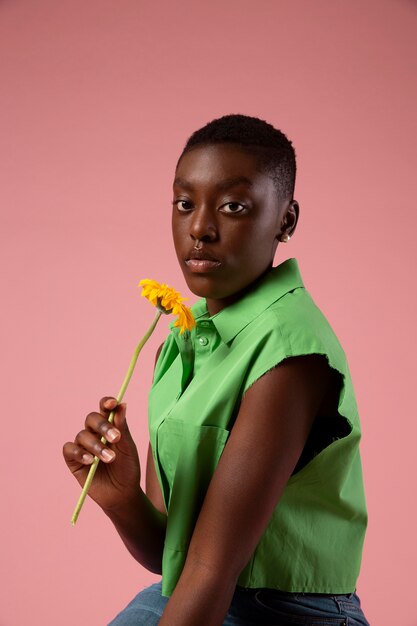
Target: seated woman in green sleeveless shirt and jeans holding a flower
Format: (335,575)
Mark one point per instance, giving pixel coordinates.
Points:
(254,510)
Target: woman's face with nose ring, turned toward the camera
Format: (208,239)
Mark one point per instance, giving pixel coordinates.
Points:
(226,222)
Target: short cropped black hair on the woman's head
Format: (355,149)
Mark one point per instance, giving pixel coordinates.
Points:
(274,151)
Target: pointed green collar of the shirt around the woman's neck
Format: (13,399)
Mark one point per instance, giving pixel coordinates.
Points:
(273,286)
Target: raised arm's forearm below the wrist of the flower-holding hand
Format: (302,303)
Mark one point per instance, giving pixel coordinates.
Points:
(142,529)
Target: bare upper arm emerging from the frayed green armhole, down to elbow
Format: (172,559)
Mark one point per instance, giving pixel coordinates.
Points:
(272,426)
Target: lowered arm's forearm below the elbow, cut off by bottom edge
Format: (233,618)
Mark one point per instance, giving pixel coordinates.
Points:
(200,597)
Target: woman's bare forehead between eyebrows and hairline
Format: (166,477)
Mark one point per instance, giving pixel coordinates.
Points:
(217,163)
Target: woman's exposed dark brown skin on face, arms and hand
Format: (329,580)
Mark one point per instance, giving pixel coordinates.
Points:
(225,232)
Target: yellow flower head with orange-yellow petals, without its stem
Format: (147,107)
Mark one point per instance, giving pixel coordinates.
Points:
(167,300)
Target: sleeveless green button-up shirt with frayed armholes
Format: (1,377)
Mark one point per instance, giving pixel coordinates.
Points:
(313,542)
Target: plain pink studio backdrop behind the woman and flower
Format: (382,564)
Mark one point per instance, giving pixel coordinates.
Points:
(97,98)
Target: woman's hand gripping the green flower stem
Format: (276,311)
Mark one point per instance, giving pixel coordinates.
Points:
(117,479)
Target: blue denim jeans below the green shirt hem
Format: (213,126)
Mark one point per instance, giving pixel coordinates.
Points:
(256,607)
